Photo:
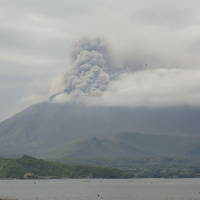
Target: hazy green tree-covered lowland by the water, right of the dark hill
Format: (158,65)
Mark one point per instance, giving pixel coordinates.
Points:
(150,167)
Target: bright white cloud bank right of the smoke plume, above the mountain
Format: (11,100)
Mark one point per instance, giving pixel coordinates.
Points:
(157,87)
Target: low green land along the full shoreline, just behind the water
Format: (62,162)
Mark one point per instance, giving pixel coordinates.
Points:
(29,167)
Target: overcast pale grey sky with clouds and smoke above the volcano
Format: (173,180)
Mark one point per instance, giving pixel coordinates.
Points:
(153,48)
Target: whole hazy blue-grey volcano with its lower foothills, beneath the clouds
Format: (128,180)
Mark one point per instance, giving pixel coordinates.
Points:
(68,130)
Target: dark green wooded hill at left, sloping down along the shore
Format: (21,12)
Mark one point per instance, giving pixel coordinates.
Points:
(17,168)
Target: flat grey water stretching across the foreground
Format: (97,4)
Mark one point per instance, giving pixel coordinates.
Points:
(132,189)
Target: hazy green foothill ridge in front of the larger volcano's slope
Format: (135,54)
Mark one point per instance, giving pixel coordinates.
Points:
(128,145)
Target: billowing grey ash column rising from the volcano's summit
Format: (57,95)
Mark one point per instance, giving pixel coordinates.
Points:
(91,71)
